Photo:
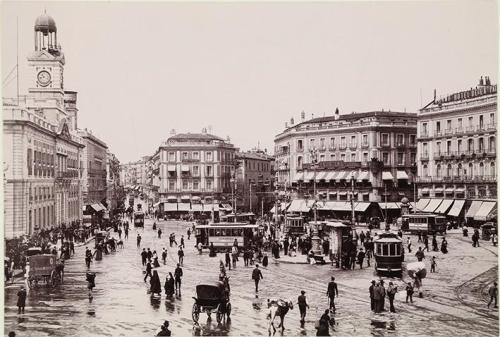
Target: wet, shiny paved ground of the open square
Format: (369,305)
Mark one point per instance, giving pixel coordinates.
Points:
(122,307)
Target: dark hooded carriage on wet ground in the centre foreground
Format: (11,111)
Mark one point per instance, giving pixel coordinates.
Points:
(211,298)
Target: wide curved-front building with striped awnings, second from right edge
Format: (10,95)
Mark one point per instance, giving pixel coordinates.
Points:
(374,151)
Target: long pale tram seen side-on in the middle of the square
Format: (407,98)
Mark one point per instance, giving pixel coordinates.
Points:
(223,234)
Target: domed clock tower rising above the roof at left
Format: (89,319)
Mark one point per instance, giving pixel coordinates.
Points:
(47,62)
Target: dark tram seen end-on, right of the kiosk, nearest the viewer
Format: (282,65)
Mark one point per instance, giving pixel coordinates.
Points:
(389,254)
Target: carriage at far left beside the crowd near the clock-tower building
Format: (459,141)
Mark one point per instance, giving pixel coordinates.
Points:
(44,268)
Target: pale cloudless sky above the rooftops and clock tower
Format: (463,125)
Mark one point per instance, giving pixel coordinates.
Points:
(142,69)
